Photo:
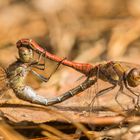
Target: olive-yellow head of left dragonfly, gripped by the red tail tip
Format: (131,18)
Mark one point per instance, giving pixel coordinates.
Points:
(25,54)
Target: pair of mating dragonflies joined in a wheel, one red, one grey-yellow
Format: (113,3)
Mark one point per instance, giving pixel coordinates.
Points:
(116,73)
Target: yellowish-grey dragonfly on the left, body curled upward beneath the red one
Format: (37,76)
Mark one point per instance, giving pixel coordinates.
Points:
(15,74)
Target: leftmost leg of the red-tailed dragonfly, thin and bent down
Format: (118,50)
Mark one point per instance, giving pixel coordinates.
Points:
(100,93)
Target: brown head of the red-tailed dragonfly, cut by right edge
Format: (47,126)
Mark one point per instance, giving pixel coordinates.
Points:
(133,77)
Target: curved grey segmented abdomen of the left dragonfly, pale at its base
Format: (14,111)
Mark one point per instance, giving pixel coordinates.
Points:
(30,95)
